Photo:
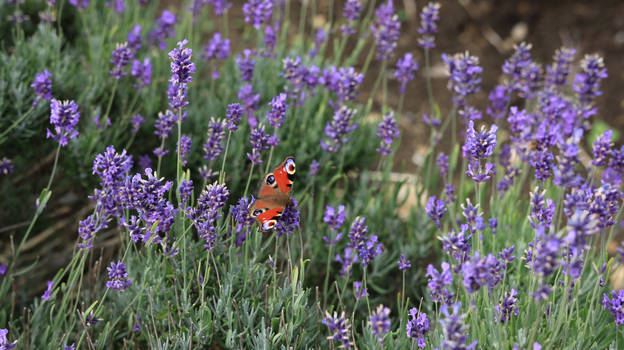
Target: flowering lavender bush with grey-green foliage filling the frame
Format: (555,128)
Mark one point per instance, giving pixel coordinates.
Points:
(162,124)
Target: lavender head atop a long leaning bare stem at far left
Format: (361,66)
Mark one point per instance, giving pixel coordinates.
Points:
(64,117)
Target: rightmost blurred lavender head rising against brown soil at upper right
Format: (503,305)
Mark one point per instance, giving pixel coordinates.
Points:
(587,83)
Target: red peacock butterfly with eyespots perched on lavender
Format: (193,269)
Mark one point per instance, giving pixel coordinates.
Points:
(273,195)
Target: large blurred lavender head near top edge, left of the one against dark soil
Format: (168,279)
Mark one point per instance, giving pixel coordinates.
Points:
(386,30)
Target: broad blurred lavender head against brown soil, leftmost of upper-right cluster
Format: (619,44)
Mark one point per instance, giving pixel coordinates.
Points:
(465,76)
